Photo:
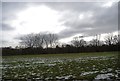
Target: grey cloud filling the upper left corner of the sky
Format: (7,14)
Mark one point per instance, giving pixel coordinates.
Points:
(9,10)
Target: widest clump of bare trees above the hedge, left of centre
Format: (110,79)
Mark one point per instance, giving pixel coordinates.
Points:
(39,40)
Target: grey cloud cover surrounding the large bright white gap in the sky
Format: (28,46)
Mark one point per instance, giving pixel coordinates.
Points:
(104,20)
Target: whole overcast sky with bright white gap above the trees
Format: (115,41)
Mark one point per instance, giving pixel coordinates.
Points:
(67,19)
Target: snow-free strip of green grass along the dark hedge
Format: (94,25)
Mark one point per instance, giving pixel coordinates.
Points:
(74,55)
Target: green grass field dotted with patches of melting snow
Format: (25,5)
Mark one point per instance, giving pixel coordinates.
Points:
(60,66)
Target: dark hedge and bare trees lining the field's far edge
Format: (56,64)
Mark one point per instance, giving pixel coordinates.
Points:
(48,44)
